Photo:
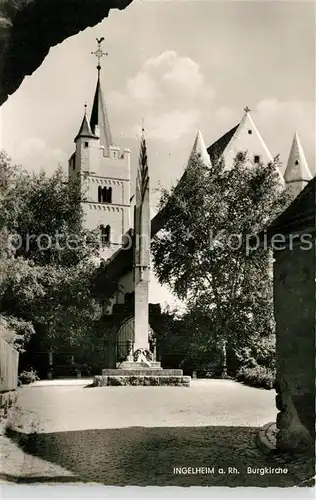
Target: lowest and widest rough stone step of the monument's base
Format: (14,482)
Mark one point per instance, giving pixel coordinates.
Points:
(143,380)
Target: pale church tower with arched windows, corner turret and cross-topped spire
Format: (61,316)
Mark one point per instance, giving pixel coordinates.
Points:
(104,172)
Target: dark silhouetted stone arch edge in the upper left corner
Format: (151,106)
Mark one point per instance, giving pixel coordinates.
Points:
(28,28)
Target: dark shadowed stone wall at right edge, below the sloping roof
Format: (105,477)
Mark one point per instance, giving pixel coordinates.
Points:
(294,292)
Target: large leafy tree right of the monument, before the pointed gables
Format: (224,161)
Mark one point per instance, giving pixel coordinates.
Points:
(207,254)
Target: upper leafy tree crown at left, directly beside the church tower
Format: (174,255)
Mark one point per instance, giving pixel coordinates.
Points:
(44,218)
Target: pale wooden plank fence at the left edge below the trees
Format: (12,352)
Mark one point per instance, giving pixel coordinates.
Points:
(9,361)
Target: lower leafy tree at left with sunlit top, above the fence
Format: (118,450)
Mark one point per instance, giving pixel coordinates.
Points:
(56,301)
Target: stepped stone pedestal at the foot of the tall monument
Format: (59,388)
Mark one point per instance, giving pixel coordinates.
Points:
(139,373)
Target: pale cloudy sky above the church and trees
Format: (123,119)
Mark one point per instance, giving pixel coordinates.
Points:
(180,66)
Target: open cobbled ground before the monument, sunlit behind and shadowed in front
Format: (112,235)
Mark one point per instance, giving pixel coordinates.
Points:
(138,435)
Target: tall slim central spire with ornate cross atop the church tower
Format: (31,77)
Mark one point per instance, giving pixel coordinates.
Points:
(99,120)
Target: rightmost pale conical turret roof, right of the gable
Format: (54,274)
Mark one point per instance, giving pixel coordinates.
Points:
(297,168)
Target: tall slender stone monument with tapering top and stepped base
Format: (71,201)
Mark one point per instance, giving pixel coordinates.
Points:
(141,366)
